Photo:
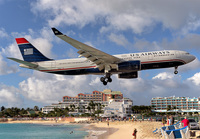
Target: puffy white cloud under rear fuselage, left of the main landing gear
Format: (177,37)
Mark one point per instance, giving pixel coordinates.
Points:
(49,88)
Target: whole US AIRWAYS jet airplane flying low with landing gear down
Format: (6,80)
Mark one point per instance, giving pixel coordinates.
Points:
(97,62)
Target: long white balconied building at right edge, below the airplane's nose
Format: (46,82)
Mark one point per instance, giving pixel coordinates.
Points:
(181,104)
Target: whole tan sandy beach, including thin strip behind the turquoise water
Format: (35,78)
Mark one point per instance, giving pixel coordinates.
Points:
(115,130)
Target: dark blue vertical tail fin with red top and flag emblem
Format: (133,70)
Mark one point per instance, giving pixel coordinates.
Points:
(29,52)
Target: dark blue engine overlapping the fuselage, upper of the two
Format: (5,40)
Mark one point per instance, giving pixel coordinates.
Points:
(129,66)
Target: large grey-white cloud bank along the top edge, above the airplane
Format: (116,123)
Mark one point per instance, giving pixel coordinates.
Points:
(127,15)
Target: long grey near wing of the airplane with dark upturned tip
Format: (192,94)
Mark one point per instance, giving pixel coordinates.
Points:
(101,59)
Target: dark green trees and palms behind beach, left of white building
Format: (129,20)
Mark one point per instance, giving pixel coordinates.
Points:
(93,109)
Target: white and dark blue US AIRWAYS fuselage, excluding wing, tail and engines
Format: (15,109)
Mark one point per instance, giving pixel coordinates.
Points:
(148,60)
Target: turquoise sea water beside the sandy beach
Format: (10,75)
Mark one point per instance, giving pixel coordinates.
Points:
(38,131)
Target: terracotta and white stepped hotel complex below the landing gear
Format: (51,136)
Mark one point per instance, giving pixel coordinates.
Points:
(80,103)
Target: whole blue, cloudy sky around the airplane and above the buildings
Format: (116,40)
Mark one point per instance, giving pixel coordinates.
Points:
(115,27)
